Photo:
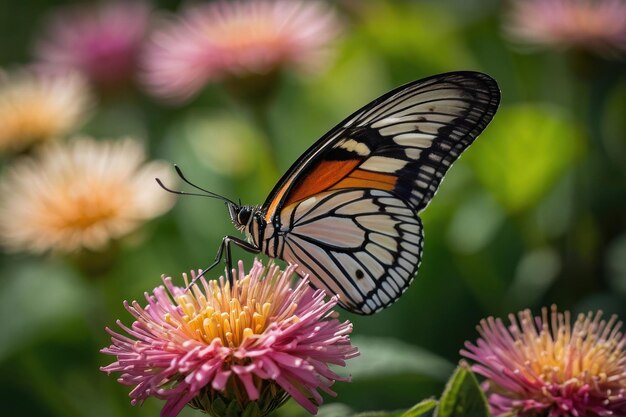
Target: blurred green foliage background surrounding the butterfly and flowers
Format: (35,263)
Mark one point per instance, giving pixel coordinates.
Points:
(533,214)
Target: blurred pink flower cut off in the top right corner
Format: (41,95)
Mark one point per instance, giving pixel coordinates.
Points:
(595,25)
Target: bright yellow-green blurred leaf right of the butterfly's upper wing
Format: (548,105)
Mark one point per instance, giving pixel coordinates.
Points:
(524,152)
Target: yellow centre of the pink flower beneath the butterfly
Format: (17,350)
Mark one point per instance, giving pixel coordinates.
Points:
(232,315)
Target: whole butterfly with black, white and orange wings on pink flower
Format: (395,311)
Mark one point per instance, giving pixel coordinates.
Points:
(346,212)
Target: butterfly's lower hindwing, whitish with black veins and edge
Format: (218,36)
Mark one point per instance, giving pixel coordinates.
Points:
(363,245)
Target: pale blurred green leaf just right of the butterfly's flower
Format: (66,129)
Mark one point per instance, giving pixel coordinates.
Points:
(382,357)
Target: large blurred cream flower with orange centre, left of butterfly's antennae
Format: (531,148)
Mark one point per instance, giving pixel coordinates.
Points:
(79,195)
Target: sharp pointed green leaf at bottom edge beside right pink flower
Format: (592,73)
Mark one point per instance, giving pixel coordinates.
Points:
(463,396)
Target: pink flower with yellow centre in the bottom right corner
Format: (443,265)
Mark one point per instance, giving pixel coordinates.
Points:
(545,366)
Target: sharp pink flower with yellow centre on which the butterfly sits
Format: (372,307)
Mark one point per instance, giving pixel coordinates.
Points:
(254,343)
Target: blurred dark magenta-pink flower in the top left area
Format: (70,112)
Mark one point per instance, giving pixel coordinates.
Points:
(100,41)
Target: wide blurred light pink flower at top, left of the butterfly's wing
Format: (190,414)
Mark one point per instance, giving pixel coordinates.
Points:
(237,39)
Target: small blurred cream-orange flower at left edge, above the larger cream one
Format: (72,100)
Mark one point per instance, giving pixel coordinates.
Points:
(36,107)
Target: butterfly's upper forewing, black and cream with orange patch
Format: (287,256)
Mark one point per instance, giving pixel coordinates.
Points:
(404,141)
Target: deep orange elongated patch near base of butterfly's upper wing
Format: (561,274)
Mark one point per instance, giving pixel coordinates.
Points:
(321,178)
